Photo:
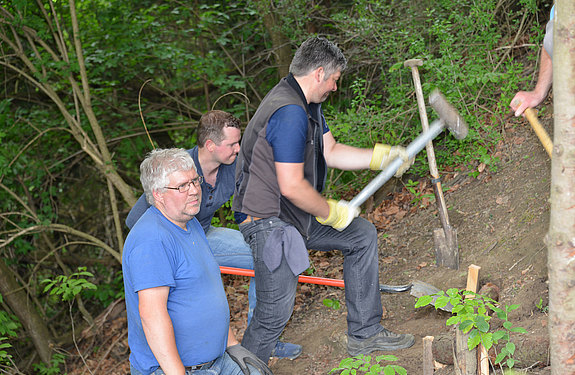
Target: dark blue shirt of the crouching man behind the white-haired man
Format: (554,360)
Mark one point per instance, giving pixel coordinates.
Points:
(213,197)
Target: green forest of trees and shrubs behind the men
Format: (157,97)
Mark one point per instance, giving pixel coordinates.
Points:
(80,78)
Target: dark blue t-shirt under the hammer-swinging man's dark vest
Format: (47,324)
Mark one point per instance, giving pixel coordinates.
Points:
(287,133)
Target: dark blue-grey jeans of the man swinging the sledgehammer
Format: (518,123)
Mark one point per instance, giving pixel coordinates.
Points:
(276,290)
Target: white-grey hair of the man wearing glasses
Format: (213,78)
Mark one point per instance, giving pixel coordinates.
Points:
(158,165)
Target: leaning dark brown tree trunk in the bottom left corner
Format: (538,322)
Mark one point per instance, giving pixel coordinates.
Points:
(17,298)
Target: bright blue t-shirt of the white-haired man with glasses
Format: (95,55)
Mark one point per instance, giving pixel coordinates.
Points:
(159,253)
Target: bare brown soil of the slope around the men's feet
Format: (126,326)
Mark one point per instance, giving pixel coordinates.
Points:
(501,218)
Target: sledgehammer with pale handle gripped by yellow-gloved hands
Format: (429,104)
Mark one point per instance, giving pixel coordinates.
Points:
(448,117)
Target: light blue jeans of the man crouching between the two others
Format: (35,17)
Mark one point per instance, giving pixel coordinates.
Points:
(230,250)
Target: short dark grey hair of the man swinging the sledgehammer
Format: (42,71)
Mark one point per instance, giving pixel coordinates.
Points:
(317,52)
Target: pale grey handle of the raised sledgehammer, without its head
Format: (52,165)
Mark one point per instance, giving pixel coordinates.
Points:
(412,149)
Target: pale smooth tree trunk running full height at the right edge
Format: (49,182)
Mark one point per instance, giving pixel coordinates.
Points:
(561,237)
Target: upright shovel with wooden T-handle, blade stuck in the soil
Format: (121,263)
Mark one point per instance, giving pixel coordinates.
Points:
(445,238)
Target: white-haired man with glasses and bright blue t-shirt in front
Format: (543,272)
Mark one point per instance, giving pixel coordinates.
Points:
(178,314)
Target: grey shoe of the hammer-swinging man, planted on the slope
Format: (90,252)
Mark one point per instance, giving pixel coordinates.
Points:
(384,340)
